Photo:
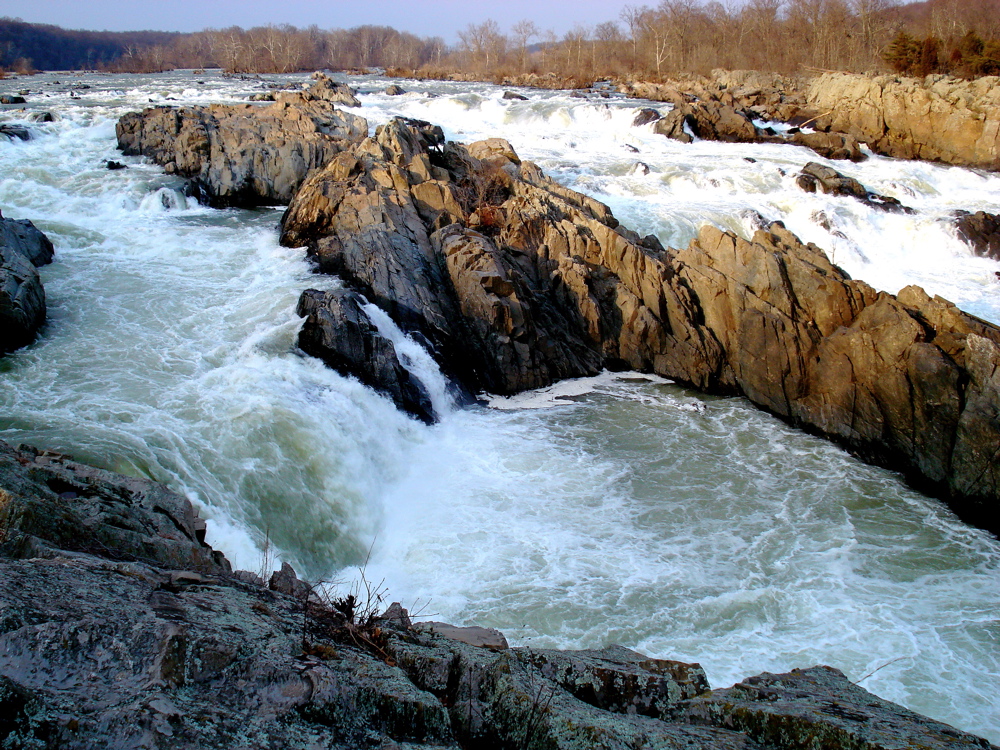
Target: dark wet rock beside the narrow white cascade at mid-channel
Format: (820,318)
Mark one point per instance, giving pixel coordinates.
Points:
(339,331)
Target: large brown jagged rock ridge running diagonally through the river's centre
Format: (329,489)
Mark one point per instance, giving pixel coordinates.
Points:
(518,282)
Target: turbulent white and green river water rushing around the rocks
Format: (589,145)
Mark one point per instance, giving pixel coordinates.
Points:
(613,509)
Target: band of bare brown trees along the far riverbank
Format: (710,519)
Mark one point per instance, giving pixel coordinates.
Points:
(676,37)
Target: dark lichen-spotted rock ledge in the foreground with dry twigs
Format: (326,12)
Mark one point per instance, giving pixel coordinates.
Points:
(120,627)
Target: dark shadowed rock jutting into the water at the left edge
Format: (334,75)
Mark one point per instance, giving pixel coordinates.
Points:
(22,299)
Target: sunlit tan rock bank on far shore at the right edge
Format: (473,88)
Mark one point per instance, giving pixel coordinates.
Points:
(937,118)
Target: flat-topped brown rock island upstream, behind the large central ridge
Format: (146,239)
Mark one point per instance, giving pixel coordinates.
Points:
(246,155)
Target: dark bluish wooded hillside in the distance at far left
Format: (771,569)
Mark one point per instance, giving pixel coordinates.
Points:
(53,48)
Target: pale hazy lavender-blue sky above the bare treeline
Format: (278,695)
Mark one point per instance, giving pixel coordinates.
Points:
(422,17)
